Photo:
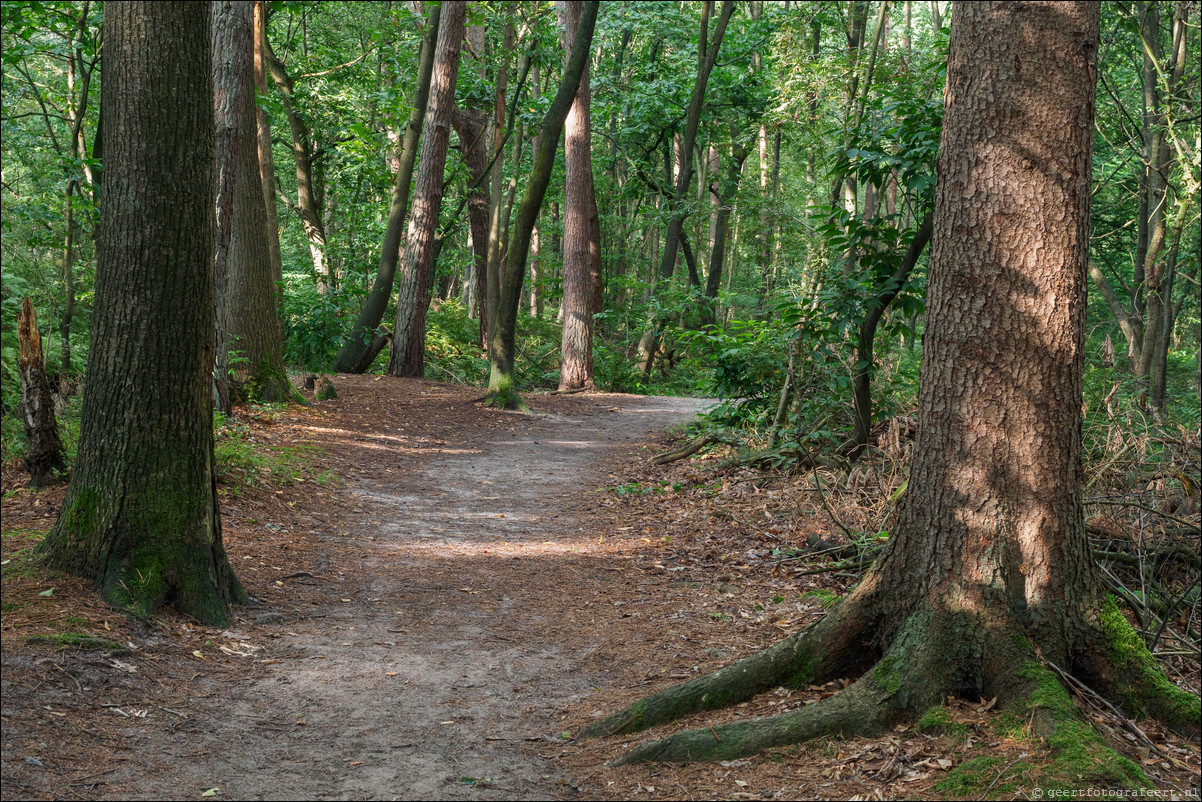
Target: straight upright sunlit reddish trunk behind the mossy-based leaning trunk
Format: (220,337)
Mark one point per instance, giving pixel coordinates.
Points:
(582,252)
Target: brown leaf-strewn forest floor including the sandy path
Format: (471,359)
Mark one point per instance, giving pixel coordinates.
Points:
(445,595)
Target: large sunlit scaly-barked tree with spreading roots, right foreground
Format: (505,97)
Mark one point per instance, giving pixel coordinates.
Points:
(989,571)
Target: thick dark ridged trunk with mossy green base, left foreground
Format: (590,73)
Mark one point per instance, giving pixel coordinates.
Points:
(141,514)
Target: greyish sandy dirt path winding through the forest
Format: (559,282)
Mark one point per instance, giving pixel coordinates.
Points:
(441,639)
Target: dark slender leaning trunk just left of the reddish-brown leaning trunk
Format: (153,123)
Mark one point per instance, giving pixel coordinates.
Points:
(350,357)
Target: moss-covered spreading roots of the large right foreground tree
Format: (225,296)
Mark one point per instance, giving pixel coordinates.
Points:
(938,651)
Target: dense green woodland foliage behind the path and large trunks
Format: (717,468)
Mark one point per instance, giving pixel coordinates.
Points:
(812,170)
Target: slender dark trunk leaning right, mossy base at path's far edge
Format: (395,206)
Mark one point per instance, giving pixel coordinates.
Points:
(502,348)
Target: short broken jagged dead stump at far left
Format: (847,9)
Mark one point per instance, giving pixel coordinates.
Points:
(45,459)
